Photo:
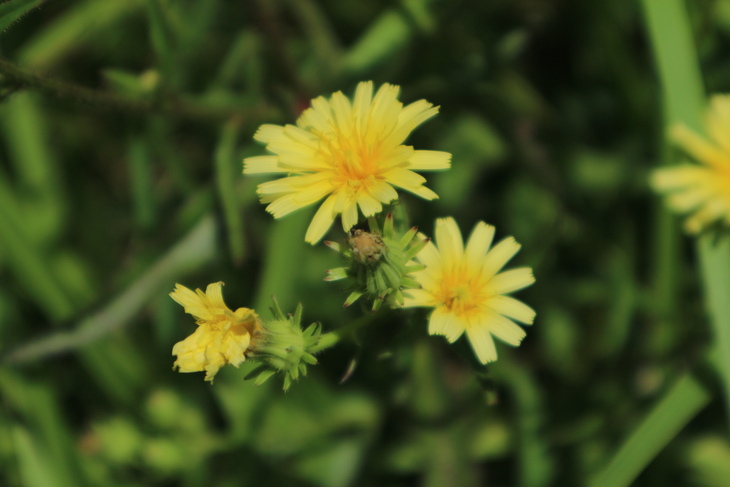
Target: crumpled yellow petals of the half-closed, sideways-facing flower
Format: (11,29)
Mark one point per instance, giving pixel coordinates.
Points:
(222,337)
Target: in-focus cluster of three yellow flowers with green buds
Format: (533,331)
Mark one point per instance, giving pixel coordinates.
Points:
(351,156)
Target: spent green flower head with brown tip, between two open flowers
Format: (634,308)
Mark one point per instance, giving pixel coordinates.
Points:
(378,263)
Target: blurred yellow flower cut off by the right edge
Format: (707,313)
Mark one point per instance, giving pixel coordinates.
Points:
(702,190)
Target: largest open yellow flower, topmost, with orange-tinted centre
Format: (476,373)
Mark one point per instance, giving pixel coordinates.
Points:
(351,154)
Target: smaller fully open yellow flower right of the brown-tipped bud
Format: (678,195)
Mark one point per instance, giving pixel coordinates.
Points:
(467,292)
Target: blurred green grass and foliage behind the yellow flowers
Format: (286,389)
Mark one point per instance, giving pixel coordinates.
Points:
(123,125)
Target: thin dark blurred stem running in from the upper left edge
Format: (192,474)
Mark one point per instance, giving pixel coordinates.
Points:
(103,99)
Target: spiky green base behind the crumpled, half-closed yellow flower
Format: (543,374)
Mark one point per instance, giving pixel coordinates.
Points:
(280,345)
